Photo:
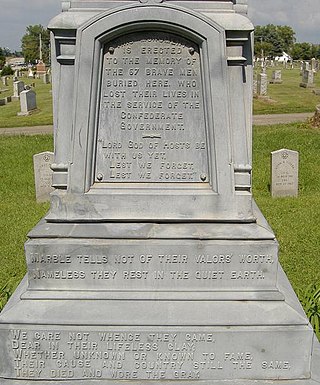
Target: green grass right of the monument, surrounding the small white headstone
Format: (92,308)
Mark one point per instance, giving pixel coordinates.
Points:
(294,220)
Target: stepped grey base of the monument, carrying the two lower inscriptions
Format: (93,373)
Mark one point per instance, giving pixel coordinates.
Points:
(111,334)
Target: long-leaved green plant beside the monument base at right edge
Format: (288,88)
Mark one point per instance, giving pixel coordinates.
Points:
(310,300)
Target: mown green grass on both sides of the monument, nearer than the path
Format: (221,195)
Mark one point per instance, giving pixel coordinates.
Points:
(294,220)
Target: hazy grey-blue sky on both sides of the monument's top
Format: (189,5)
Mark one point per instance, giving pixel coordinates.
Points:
(302,16)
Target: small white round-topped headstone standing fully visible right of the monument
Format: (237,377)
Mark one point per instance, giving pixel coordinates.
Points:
(284,175)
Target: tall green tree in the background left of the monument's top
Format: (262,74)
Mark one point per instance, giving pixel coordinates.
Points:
(31,44)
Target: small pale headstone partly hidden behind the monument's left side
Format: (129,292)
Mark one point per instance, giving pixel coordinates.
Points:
(43,175)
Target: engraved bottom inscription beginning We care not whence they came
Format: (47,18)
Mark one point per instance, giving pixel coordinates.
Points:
(151,353)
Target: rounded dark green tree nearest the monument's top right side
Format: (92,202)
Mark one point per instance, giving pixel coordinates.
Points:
(273,40)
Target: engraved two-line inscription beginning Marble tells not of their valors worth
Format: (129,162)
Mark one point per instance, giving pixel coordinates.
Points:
(165,265)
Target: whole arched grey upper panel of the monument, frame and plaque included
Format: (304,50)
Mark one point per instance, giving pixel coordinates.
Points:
(151,118)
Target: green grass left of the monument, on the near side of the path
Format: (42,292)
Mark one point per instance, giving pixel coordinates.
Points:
(18,208)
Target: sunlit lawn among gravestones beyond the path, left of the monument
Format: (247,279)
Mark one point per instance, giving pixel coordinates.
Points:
(42,116)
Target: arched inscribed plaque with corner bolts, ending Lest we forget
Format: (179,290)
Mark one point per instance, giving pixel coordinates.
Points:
(151,124)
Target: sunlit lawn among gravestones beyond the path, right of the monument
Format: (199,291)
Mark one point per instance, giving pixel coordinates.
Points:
(288,97)
